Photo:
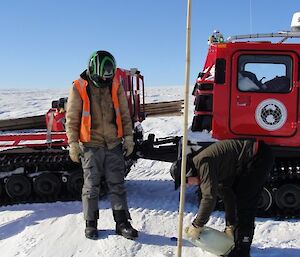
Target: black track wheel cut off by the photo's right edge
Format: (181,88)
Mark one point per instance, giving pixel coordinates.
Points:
(288,197)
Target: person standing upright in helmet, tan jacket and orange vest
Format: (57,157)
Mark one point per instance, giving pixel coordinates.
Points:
(99,130)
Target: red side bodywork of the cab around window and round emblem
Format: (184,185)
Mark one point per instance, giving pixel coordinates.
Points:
(234,111)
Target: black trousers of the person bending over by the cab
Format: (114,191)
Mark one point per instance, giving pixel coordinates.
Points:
(248,187)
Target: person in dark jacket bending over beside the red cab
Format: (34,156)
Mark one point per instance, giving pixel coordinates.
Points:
(237,170)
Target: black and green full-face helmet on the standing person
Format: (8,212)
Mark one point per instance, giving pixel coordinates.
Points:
(101,68)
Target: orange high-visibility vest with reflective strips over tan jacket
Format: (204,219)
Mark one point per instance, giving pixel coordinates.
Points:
(85,127)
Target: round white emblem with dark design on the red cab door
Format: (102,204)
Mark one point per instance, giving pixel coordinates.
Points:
(270,114)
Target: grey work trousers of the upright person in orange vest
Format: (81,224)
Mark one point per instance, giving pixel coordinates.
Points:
(97,163)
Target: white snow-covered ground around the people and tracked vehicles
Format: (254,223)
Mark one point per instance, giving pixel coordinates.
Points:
(56,229)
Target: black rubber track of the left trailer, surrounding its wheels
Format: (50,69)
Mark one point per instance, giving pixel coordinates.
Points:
(35,163)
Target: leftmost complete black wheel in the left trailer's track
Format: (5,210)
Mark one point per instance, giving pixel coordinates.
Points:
(18,187)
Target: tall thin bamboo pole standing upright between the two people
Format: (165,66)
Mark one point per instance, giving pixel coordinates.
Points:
(185,125)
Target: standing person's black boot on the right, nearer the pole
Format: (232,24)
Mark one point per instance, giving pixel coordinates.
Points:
(123,226)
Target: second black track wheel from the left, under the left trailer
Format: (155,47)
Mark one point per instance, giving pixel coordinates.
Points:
(47,185)
